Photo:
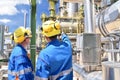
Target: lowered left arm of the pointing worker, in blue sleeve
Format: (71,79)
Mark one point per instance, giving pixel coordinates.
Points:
(42,67)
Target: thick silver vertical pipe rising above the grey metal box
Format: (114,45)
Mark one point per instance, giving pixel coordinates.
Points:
(89,13)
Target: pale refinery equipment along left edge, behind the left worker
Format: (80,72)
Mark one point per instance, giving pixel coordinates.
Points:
(6,45)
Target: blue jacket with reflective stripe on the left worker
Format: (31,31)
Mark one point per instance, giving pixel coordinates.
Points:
(20,65)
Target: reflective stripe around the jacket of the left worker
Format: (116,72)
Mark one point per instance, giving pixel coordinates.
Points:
(24,71)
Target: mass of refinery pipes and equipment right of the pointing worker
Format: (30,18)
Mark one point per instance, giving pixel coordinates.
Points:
(93,27)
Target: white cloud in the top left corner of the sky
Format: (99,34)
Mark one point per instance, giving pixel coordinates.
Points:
(7,7)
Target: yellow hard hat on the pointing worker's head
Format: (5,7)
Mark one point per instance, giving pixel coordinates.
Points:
(50,28)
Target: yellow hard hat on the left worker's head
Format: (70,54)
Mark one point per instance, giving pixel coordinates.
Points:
(20,34)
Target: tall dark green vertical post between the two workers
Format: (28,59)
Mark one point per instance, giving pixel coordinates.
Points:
(33,29)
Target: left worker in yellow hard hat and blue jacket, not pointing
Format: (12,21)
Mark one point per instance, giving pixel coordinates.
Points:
(20,66)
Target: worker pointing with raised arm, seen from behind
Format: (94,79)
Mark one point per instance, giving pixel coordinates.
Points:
(55,61)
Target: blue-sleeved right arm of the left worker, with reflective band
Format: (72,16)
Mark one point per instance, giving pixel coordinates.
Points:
(23,68)
